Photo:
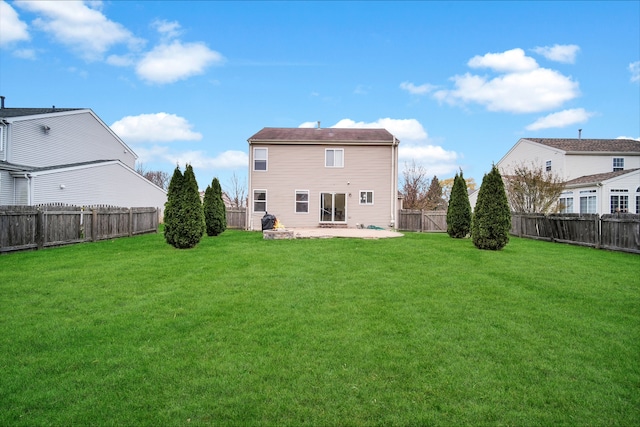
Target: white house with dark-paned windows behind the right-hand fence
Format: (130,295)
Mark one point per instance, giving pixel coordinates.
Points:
(602,175)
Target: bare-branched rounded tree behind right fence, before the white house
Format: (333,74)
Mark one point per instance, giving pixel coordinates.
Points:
(531,189)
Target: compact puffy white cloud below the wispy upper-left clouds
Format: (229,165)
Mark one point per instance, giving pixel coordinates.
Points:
(168,63)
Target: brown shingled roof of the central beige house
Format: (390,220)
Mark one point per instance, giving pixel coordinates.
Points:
(323,135)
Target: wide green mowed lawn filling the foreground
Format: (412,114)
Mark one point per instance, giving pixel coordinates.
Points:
(418,330)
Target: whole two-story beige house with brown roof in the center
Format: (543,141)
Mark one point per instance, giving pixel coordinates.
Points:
(317,177)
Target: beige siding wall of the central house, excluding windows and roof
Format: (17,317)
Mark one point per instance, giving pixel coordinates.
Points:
(298,167)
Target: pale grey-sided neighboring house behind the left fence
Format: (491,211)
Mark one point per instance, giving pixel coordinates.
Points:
(68,156)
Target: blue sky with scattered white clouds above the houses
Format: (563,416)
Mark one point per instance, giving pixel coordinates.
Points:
(457,82)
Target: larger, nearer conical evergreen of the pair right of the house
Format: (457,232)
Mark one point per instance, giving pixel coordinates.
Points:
(492,216)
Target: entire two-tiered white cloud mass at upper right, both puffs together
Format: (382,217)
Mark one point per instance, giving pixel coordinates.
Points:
(521,86)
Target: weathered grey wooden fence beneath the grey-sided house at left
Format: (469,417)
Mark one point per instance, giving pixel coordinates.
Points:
(37,227)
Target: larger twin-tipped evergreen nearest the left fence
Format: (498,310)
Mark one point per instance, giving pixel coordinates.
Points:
(186,221)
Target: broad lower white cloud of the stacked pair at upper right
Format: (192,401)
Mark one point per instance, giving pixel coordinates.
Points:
(527,92)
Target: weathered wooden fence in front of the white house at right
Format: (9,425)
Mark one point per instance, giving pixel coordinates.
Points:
(618,232)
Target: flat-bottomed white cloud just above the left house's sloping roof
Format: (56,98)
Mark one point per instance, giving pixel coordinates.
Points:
(158,127)
